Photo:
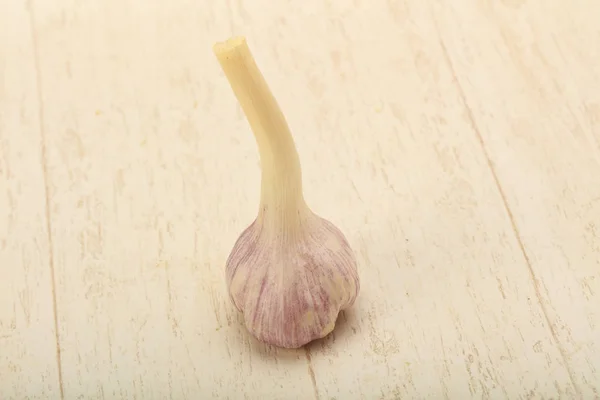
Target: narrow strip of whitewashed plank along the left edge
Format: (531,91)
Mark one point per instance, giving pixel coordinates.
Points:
(28,344)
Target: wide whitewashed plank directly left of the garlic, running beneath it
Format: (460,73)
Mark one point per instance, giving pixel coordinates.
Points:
(154,177)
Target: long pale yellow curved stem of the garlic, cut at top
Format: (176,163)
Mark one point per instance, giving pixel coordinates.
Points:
(282,200)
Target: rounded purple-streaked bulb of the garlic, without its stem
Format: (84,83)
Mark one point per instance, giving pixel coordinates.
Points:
(291,285)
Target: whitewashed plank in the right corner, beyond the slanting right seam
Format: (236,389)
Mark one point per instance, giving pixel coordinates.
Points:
(530,72)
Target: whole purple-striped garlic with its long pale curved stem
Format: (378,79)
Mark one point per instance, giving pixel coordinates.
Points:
(290,272)
